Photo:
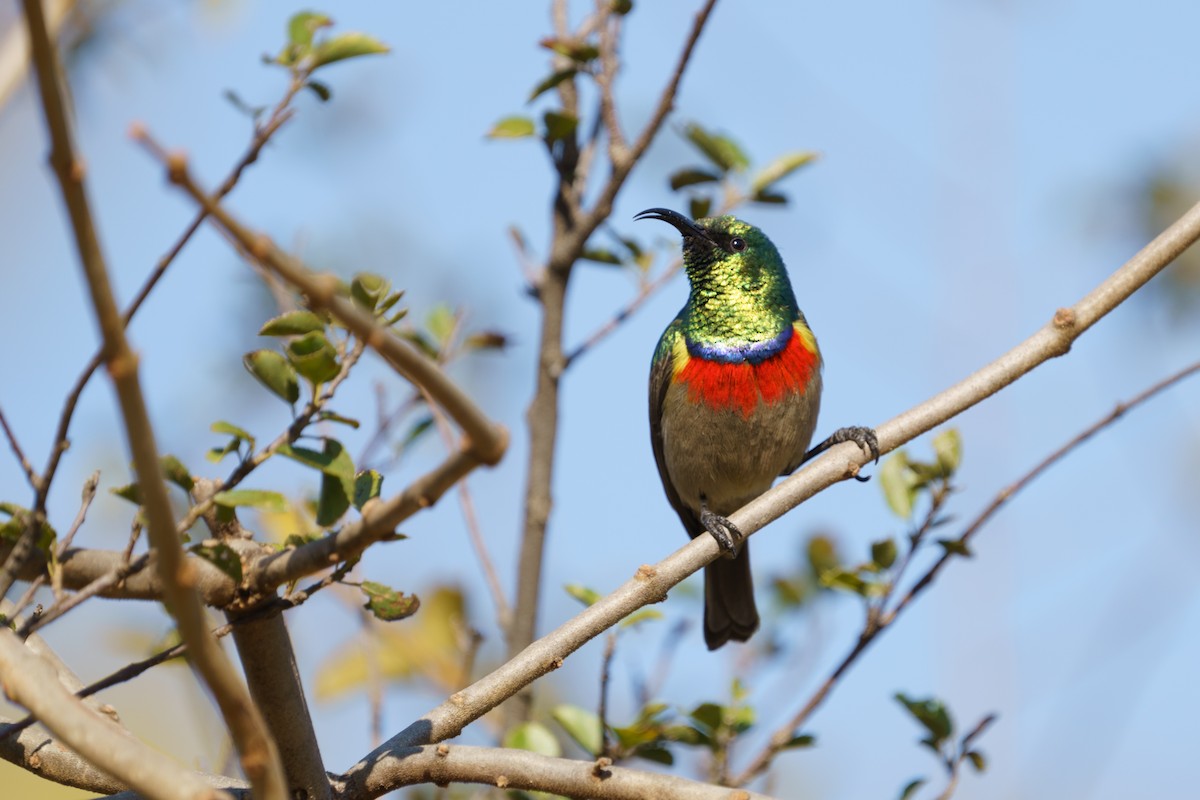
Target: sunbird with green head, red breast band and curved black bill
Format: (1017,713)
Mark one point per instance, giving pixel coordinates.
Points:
(735,392)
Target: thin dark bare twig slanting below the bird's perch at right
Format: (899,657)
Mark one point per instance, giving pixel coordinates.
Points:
(785,733)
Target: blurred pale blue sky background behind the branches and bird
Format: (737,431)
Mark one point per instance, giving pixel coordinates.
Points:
(983,163)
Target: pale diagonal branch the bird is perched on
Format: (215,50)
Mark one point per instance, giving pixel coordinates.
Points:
(652,584)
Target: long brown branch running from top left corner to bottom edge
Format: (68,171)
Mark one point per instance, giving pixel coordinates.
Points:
(260,760)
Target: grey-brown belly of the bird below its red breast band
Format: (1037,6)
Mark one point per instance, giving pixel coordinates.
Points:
(729,459)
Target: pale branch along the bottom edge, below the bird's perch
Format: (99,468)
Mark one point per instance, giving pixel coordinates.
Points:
(517,769)
